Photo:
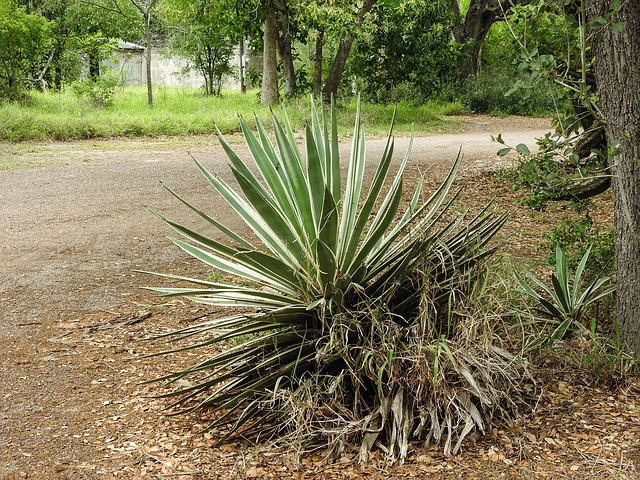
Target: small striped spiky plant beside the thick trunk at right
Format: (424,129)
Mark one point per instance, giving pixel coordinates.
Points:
(564,303)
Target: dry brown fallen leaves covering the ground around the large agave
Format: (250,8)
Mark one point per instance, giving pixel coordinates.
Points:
(575,430)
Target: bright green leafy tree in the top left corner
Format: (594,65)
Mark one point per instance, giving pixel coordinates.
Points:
(25,46)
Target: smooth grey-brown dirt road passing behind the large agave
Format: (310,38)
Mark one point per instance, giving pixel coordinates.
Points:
(84,225)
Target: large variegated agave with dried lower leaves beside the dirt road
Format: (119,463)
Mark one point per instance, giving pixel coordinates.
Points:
(344,289)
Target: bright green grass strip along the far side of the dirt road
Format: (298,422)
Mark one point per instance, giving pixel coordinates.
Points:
(180,111)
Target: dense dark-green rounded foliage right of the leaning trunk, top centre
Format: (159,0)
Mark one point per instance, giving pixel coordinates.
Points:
(408,54)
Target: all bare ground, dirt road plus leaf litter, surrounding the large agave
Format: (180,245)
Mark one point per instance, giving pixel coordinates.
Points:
(75,224)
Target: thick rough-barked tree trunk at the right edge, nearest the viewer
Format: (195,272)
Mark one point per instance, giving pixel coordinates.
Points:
(618,75)
